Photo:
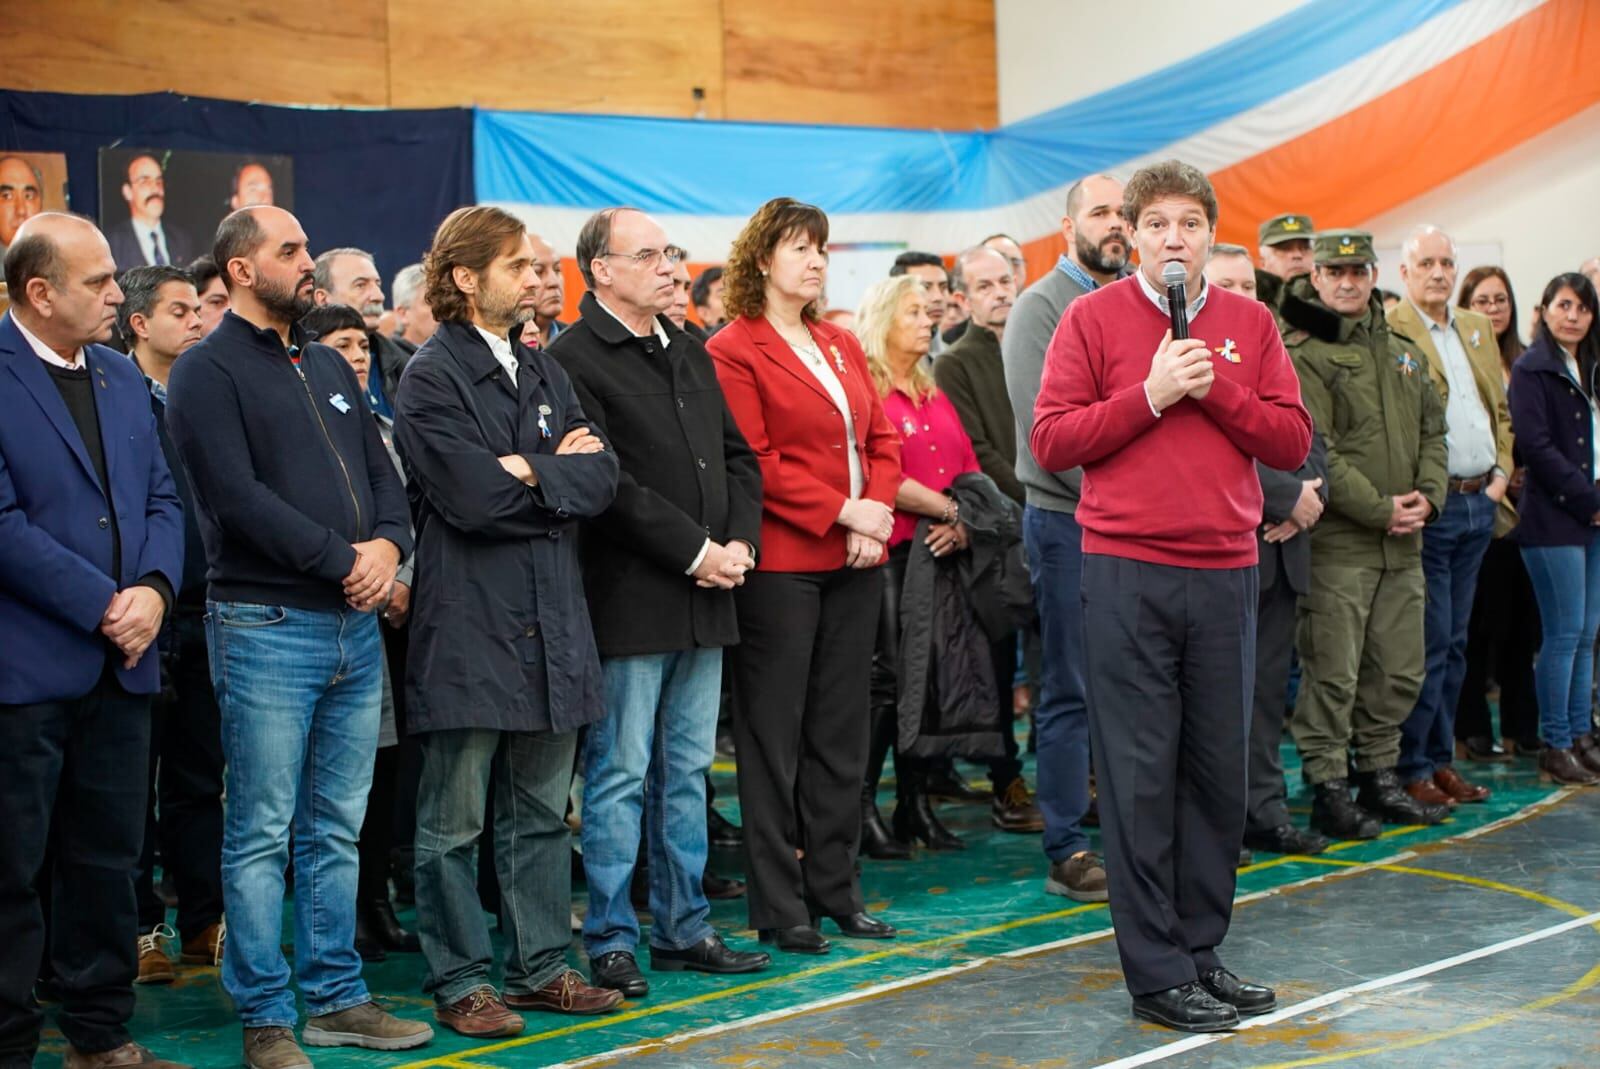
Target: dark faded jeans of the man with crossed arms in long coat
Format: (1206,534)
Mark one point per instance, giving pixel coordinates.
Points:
(534,859)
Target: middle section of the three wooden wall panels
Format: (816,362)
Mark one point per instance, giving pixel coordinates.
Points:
(614,57)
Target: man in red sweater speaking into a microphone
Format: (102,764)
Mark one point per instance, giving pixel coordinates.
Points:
(1169,434)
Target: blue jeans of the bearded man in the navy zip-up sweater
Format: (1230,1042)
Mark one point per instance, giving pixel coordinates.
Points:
(300,695)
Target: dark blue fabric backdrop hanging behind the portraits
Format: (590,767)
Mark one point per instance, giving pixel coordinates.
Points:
(380,180)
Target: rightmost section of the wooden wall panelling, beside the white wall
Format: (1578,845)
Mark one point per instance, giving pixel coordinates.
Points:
(894,63)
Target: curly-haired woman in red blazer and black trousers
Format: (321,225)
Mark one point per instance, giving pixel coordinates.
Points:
(802,396)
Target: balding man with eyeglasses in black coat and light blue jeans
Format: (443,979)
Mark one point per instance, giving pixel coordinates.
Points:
(679,539)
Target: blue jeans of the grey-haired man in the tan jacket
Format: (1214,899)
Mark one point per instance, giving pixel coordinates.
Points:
(1454,550)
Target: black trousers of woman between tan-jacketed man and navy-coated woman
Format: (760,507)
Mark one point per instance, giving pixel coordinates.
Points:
(1503,639)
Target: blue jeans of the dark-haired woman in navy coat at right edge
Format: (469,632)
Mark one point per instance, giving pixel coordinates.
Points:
(1567,585)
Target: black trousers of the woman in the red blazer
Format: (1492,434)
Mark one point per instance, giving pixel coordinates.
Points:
(801,723)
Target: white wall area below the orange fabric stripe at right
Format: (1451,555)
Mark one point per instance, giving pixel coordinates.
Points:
(1538,202)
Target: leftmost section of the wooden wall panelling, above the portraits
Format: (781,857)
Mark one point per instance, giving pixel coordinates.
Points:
(292,52)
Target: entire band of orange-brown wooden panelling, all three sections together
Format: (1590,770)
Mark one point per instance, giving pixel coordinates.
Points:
(898,63)
